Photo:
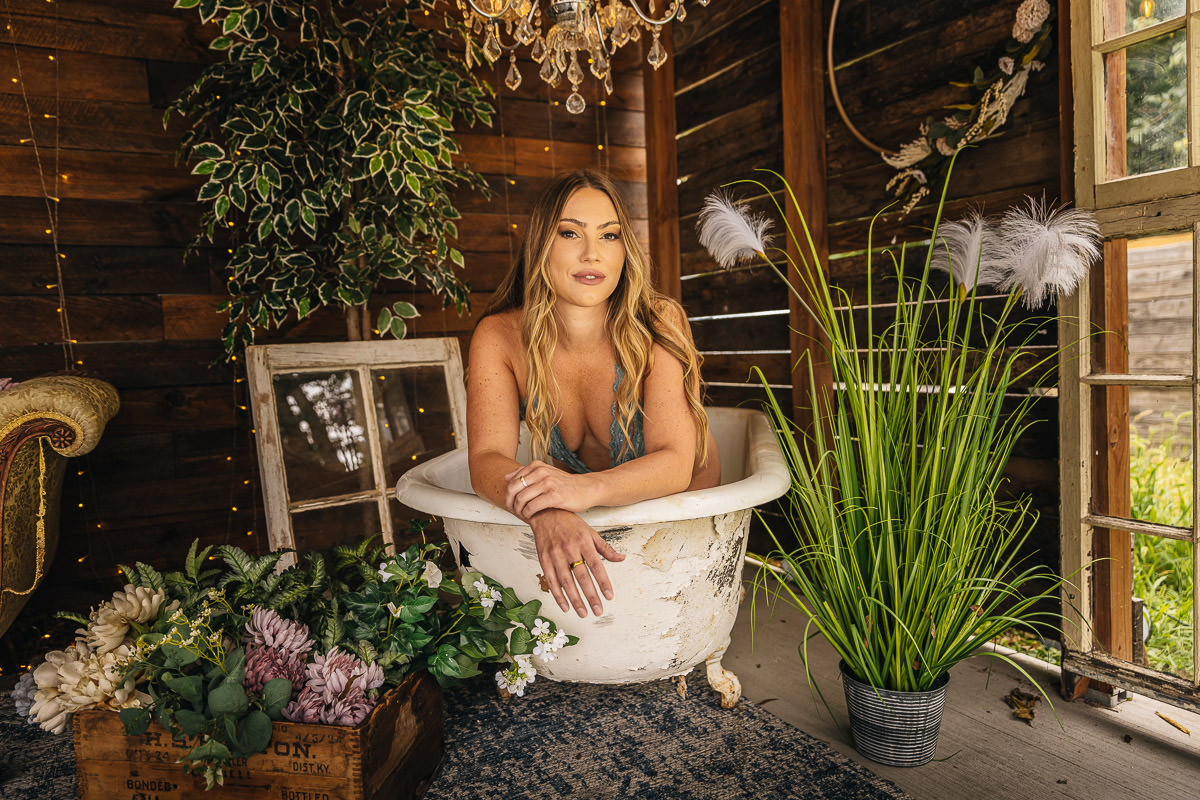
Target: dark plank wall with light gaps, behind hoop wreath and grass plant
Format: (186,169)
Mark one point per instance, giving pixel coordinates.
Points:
(895,62)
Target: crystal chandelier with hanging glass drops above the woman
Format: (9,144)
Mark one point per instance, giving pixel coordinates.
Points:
(589,29)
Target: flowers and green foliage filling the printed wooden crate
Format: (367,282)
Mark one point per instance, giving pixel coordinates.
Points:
(220,649)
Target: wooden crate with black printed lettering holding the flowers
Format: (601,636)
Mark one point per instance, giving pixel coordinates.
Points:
(392,755)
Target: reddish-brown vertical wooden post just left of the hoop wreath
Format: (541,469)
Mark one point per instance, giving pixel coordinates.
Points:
(801,47)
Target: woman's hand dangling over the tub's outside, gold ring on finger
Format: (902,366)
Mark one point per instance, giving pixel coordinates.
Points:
(572,556)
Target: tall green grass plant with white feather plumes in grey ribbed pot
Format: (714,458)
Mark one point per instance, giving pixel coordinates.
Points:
(902,546)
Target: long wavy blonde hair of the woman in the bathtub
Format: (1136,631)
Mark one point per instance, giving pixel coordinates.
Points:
(639,317)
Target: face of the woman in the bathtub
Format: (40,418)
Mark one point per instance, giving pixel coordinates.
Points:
(589,254)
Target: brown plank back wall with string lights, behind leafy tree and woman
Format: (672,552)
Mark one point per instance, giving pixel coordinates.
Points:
(179,461)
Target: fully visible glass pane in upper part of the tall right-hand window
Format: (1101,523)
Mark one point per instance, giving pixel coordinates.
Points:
(1147,106)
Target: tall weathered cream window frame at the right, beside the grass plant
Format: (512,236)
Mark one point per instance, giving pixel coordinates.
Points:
(1162,202)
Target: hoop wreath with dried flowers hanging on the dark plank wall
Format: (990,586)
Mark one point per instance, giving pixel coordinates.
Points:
(926,160)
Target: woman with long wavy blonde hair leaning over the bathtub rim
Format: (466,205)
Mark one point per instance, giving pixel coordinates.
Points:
(604,371)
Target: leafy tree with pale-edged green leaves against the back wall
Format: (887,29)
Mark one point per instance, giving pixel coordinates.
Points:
(327,136)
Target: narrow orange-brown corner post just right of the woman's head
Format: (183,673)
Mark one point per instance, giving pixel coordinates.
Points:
(662,170)
